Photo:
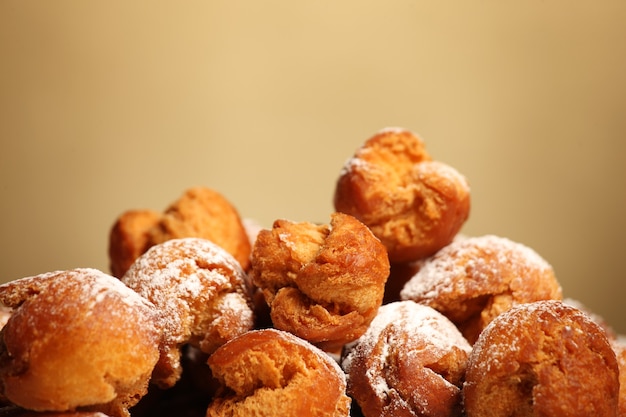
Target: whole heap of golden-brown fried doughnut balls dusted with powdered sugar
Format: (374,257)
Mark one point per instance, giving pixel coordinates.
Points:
(385,310)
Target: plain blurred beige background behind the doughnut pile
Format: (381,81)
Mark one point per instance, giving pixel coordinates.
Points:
(106,106)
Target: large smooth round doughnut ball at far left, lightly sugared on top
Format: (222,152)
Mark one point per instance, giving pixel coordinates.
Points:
(77,339)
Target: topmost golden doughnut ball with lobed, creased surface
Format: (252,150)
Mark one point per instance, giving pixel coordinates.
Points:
(413,204)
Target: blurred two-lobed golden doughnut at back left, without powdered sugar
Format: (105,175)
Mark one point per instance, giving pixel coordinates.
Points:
(198,212)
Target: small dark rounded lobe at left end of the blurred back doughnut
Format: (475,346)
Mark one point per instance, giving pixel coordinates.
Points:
(129,238)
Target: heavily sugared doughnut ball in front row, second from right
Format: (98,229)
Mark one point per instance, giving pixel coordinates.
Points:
(410,362)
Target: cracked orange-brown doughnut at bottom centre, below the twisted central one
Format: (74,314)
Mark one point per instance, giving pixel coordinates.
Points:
(274,373)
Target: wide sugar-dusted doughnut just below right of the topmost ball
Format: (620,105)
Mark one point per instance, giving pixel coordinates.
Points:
(473,280)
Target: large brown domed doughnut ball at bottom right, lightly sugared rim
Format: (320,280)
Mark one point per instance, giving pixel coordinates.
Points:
(542,359)
